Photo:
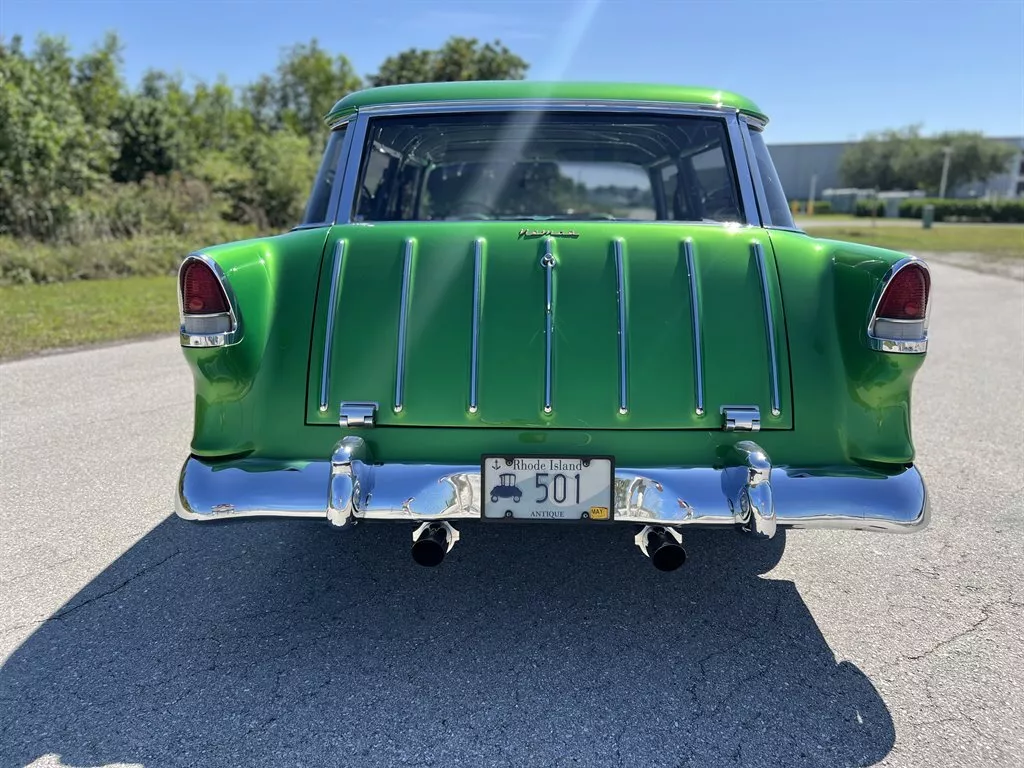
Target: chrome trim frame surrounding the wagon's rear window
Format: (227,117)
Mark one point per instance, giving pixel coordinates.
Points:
(357,137)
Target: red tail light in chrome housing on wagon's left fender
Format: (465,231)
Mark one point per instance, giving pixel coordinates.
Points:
(207,319)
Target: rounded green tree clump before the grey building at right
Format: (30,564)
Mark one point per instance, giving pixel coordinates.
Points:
(904,159)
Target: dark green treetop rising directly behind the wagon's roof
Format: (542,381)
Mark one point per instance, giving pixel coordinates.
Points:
(459,59)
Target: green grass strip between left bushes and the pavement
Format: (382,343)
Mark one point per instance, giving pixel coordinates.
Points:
(65,315)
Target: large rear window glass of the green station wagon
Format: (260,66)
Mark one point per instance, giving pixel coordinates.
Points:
(530,166)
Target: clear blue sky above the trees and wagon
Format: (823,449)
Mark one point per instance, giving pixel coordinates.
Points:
(828,70)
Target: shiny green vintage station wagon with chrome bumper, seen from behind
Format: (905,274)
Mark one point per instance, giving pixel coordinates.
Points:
(565,303)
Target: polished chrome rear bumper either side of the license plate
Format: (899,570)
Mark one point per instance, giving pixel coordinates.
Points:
(748,492)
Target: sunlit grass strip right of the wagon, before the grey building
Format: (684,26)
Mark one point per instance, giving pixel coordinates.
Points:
(989,240)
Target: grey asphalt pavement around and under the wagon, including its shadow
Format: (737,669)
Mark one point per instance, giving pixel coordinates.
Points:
(130,637)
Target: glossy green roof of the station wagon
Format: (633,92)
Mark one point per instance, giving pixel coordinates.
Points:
(532,90)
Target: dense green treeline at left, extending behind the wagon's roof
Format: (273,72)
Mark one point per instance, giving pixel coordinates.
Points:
(83,157)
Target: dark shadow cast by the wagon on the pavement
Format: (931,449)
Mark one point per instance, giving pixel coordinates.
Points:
(288,644)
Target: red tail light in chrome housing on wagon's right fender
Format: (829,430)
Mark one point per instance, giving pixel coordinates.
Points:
(900,320)
